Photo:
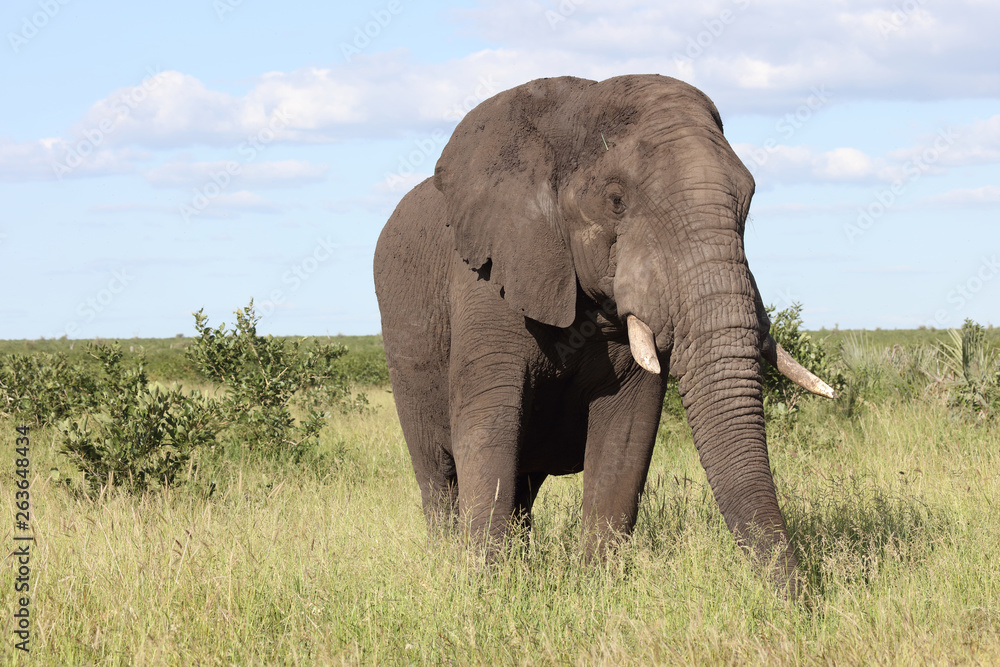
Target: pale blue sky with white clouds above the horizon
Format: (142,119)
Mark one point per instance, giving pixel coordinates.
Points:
(155,160)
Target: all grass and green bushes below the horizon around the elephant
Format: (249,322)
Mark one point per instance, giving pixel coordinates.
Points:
(231,498)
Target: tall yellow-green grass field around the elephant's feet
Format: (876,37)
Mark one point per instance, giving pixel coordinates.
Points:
(893,511)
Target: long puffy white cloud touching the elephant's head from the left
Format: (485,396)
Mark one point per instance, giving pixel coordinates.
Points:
(381,94)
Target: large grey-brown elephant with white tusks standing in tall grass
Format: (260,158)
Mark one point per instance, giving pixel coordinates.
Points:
(578,242)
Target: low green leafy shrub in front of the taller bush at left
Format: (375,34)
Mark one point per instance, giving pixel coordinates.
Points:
(139,437)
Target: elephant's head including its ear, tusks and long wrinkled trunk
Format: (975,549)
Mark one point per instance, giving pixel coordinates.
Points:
(628,190)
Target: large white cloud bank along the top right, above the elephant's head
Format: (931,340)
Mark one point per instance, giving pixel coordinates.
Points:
(731,47)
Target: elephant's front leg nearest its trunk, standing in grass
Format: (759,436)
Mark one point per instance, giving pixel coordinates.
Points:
(620,438)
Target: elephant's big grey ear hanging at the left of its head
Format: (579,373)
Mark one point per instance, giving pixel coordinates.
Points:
(497,175)
